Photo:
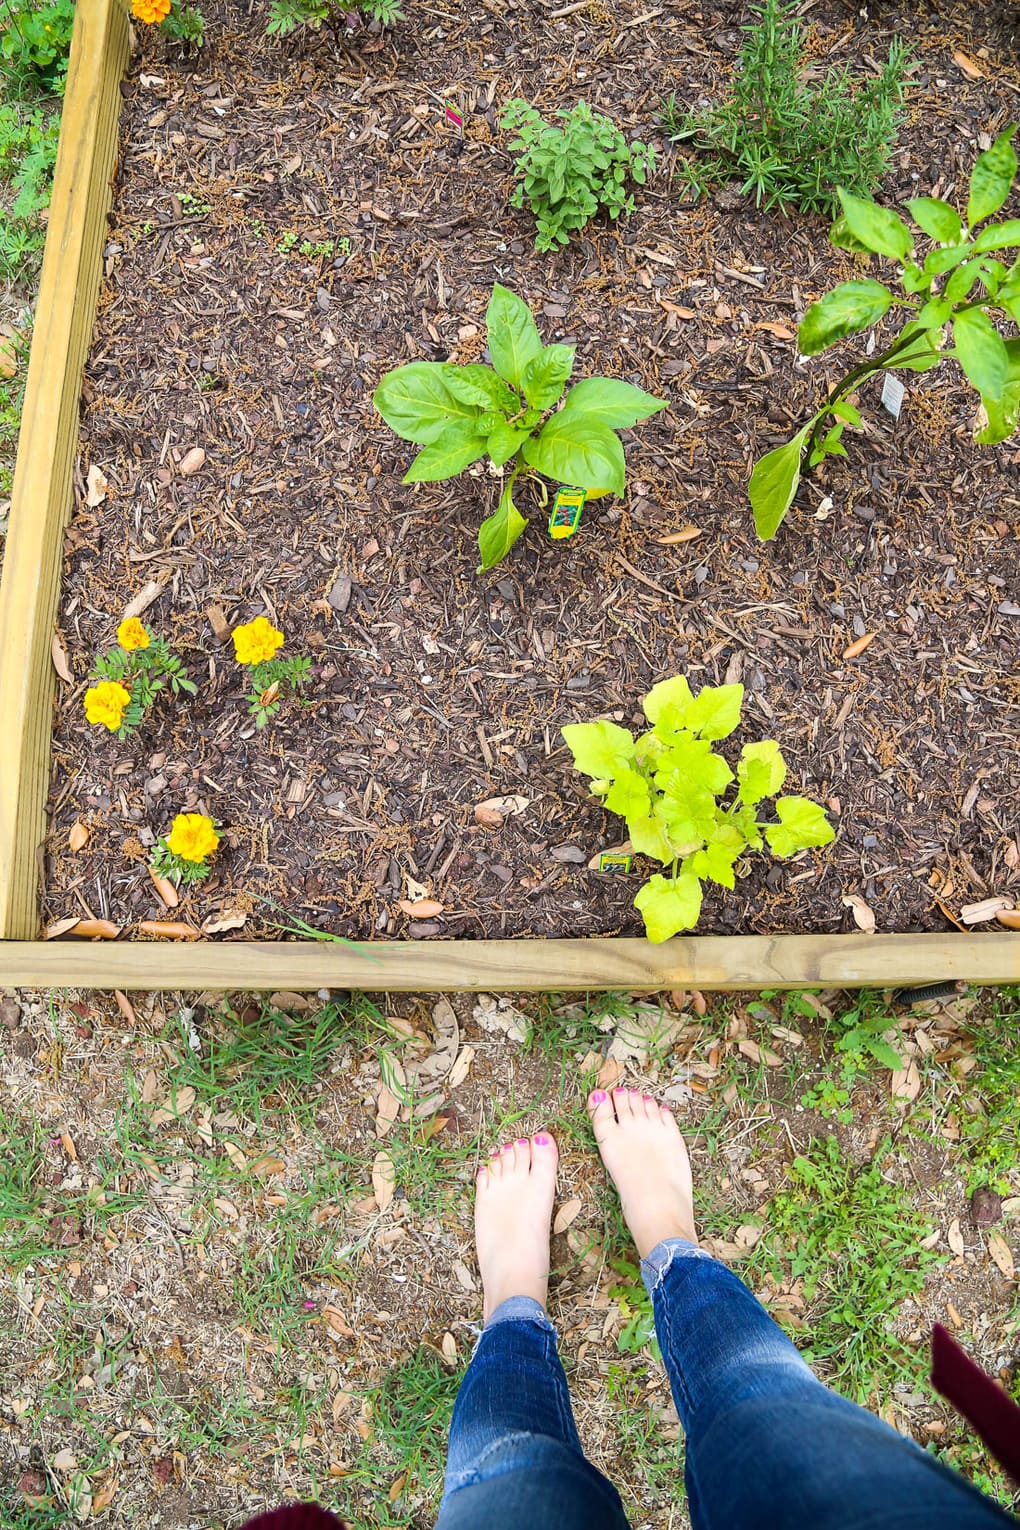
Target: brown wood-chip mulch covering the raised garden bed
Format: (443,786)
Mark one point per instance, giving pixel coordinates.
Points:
(437,689)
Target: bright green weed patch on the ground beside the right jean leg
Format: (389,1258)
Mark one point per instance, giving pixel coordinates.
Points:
(854,1242)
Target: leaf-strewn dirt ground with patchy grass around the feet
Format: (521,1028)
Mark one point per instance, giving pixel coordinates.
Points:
(238,1248)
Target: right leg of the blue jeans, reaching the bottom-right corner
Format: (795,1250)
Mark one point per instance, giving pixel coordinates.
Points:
(767,1442)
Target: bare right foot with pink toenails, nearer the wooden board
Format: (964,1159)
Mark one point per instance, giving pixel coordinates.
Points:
(648,1162)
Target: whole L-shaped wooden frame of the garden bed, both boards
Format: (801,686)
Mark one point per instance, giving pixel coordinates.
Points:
(28,613)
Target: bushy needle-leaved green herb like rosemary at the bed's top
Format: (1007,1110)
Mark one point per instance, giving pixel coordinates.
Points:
(788,140)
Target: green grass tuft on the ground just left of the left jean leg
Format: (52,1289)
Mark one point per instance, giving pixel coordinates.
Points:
(406,1453)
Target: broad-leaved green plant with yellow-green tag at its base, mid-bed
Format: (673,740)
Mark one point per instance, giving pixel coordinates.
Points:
(461,414)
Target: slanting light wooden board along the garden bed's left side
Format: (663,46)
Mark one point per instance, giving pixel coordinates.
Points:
(65,314)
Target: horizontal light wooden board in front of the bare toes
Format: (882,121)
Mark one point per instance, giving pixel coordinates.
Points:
(700,962)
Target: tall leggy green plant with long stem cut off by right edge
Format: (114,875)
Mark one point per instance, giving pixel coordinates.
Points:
(960,285)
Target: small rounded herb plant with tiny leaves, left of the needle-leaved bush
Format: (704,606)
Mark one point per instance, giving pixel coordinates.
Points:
(570,174)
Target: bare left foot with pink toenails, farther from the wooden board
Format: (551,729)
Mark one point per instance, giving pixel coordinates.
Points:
(512,1220)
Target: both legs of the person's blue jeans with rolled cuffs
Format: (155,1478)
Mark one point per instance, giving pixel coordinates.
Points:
(767,1444)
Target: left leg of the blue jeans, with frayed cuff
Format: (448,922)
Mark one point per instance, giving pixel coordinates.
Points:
(516,1460)
